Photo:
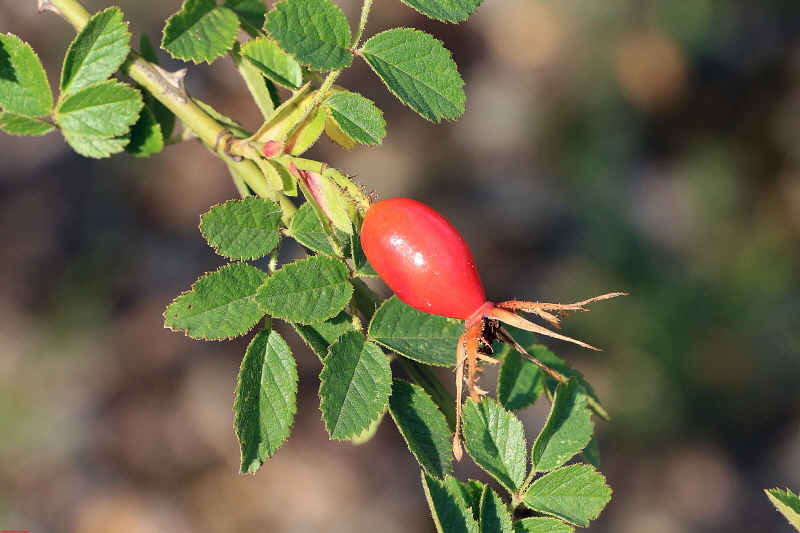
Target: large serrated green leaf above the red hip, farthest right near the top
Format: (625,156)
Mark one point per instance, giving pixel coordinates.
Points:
(418,70)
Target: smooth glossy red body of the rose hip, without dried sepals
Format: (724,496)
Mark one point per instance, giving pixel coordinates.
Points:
(422,258)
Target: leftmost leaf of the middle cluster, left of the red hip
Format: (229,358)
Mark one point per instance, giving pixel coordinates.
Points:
(219,305)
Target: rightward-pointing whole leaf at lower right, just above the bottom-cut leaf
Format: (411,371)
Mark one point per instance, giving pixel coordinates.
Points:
(575,493)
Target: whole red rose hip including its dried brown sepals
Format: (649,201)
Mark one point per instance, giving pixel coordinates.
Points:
(429,266)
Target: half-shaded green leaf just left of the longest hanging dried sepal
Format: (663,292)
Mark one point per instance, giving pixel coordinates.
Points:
(423,427)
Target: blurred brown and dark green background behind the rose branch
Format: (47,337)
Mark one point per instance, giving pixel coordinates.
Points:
(650,146)
